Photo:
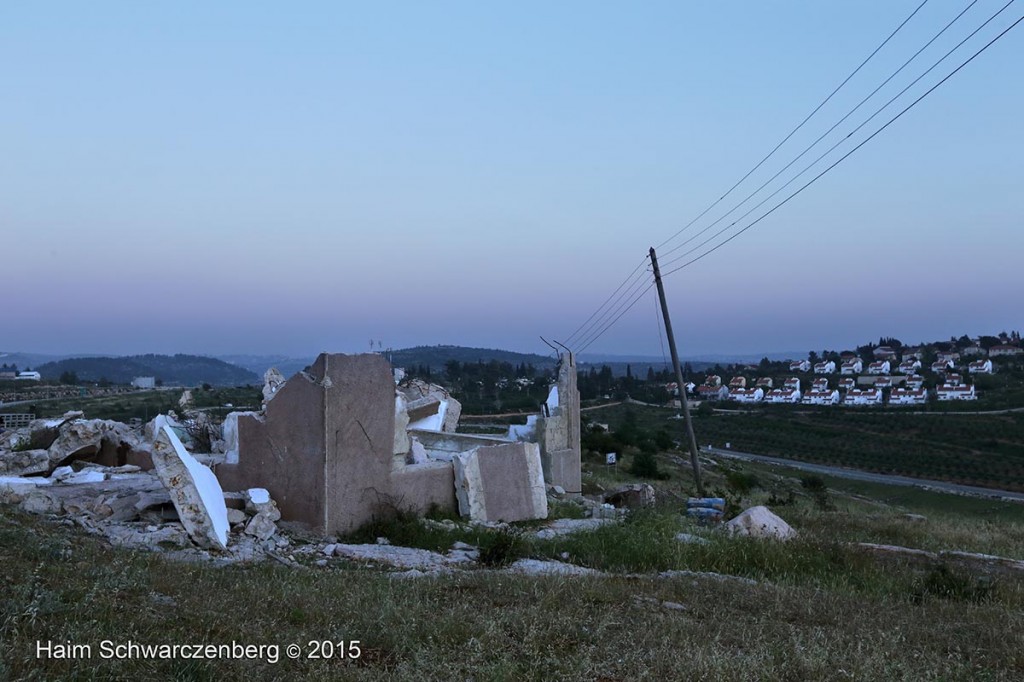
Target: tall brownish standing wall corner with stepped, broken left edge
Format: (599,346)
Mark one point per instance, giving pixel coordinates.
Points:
(325,445)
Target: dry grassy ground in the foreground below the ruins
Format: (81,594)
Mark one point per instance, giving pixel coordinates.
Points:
(821,611)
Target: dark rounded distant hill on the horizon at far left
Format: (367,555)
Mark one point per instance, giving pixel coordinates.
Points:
(174,370)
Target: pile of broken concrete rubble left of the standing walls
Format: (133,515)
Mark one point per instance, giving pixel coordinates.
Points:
(172,503)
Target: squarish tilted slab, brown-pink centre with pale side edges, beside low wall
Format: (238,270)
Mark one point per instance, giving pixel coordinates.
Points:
(501,484)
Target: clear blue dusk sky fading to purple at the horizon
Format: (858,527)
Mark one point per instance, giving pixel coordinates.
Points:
(258,178)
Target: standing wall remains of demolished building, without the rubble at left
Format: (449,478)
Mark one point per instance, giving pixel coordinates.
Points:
(339,444)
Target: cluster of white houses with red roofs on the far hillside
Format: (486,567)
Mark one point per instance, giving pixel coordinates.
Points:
(894,373)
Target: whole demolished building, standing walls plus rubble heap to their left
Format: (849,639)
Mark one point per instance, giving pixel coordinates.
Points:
(335,447)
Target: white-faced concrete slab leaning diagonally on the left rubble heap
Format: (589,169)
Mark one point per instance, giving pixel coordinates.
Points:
(194,490)
